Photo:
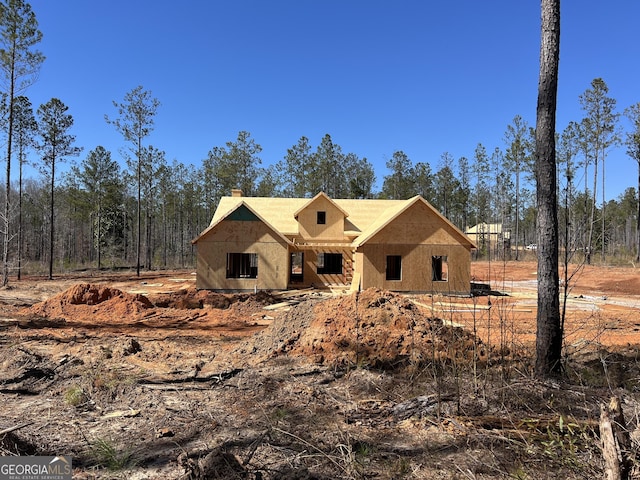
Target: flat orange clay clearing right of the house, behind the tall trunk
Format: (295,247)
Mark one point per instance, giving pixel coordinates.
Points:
(602,304)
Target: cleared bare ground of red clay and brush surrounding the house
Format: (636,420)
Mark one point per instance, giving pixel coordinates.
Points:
(147,378)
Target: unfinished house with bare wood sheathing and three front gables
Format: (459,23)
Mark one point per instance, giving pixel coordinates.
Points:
(259,243)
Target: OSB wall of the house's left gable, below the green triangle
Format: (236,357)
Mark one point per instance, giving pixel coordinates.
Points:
(242,237)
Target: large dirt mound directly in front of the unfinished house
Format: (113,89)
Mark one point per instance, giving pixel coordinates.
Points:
(373,327)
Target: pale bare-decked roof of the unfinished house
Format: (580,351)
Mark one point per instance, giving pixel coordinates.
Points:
(363,217)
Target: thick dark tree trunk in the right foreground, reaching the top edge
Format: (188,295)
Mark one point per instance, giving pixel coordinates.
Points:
(549,333)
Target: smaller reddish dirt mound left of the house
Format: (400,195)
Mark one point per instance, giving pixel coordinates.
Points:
(107,302)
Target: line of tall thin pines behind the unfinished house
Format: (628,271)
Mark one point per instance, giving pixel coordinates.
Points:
(143,210)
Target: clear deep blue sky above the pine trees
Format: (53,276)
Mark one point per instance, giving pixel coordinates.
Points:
(378,76)
